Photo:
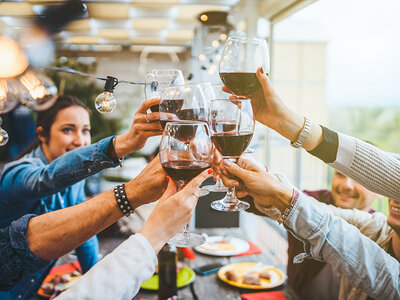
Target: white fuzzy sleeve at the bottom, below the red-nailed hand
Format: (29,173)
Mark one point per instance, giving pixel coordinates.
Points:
(119,275)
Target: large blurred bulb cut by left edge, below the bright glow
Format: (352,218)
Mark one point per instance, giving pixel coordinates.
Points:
(10,94)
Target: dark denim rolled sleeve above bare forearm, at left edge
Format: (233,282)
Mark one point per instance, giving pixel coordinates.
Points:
(16,259)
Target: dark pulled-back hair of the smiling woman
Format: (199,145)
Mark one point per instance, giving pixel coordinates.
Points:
(45,118)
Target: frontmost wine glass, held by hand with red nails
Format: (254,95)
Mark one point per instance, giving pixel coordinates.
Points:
(185,151)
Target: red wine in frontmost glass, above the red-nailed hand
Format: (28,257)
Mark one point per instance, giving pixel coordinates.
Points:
(184,170)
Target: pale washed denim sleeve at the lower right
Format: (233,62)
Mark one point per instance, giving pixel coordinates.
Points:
(329,238)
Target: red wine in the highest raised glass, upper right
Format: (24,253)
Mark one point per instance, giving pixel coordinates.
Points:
(241,83)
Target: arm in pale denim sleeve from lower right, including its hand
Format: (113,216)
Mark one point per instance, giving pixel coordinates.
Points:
(327,237)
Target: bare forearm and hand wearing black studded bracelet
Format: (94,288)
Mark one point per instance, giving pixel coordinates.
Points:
(90,217)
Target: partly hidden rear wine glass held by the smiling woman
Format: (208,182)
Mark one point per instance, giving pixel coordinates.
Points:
(157,79)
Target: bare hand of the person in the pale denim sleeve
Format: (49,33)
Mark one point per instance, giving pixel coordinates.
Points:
(264,187)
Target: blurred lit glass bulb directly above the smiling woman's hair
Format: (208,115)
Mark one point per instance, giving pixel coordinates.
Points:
(39,91)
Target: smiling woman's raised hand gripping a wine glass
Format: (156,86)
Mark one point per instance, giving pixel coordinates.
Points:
(140,130)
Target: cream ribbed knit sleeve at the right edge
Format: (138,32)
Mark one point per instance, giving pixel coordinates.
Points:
(375,169)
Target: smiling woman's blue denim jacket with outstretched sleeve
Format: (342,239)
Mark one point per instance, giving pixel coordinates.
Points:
(31,185)
